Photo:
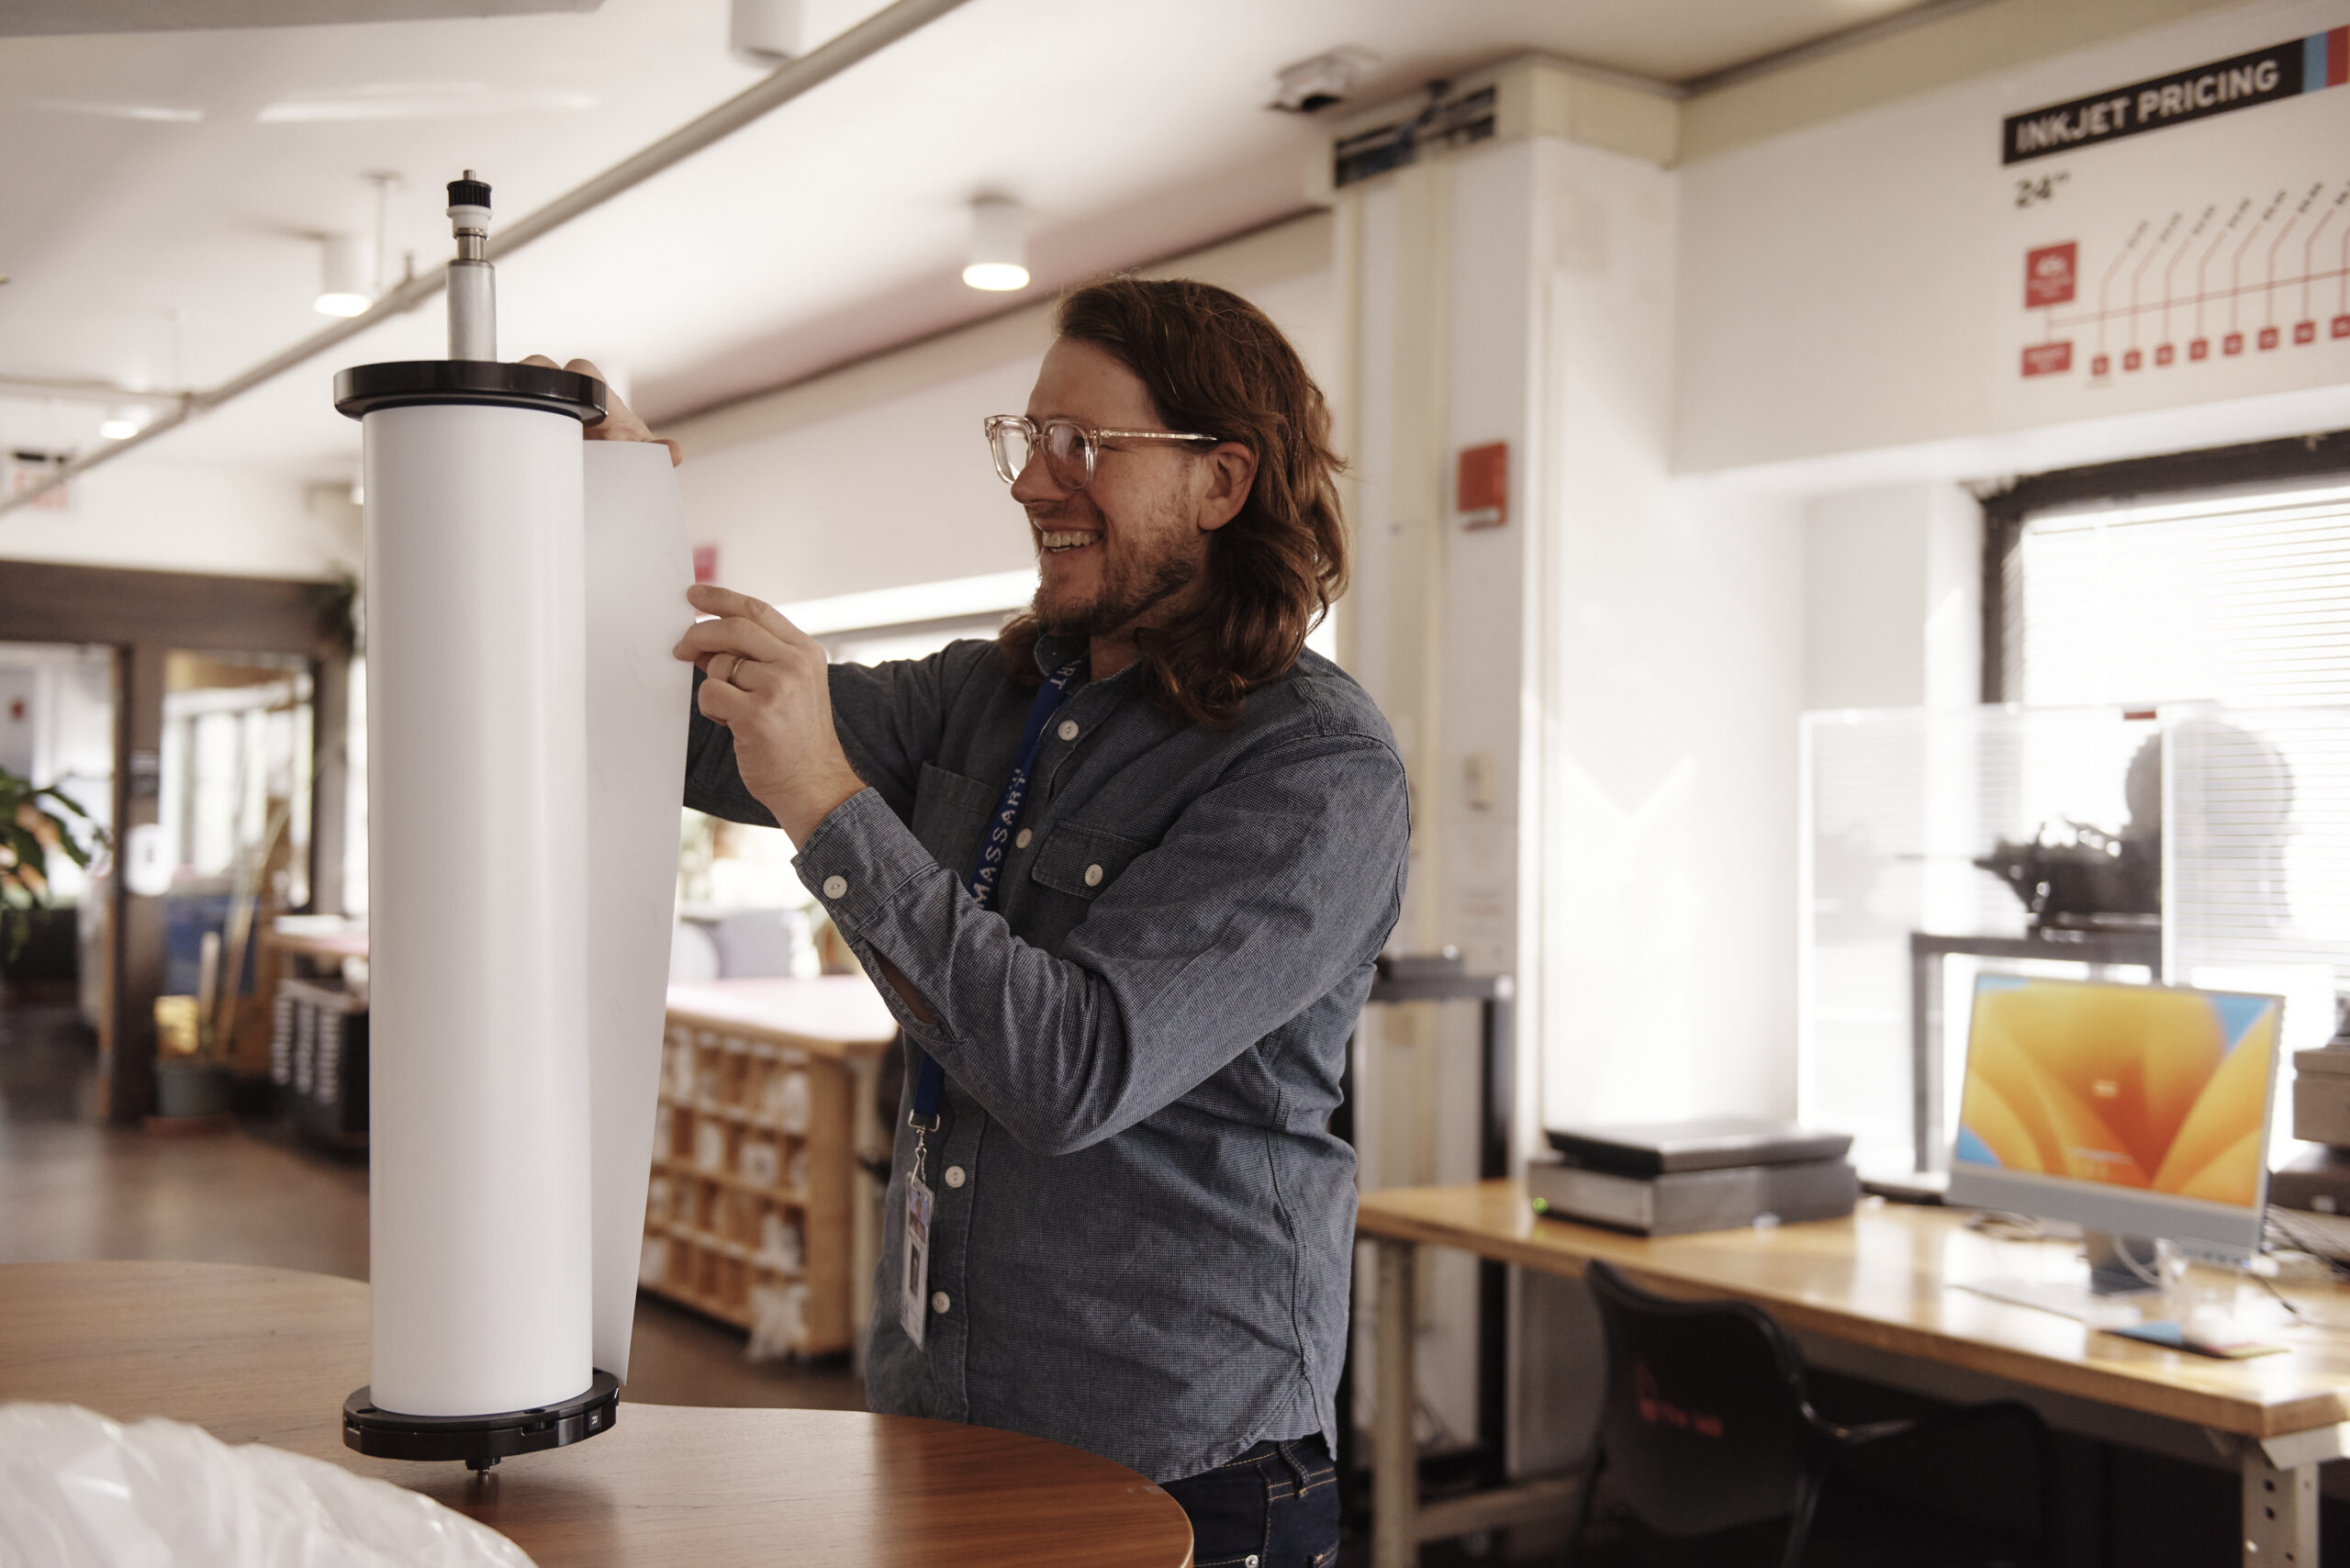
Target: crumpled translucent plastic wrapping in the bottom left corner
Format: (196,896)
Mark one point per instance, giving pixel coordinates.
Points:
(83,1492)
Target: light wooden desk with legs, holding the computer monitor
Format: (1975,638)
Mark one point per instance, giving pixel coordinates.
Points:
(1876,1280)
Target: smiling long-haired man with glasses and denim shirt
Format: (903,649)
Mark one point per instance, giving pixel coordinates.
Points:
(1122,876)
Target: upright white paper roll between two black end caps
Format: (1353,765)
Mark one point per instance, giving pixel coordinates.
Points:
(478,862)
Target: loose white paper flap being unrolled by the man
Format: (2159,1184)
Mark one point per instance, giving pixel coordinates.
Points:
(638,575)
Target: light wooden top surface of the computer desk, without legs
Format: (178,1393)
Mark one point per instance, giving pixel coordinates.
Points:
(1881,1280)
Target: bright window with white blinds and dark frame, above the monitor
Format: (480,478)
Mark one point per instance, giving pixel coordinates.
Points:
(2231,615)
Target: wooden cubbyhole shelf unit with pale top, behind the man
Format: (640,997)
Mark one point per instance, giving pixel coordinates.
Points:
(833,1031)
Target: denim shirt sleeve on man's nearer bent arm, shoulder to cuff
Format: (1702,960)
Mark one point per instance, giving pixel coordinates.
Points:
(1263,897)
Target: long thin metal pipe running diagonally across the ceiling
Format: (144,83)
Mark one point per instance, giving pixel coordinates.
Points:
(786,83)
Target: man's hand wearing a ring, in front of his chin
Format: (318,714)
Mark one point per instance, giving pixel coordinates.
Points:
(767,685)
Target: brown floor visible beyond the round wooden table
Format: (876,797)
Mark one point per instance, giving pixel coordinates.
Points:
(72,1188)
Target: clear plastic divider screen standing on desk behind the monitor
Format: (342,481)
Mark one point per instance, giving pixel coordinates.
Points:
(2245,808)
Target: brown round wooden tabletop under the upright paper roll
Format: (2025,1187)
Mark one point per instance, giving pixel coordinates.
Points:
(269,1355)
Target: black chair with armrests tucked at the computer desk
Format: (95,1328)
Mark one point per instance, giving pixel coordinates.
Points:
(1707,1421)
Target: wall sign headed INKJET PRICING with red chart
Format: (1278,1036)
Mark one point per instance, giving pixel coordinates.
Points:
(2184,234)
